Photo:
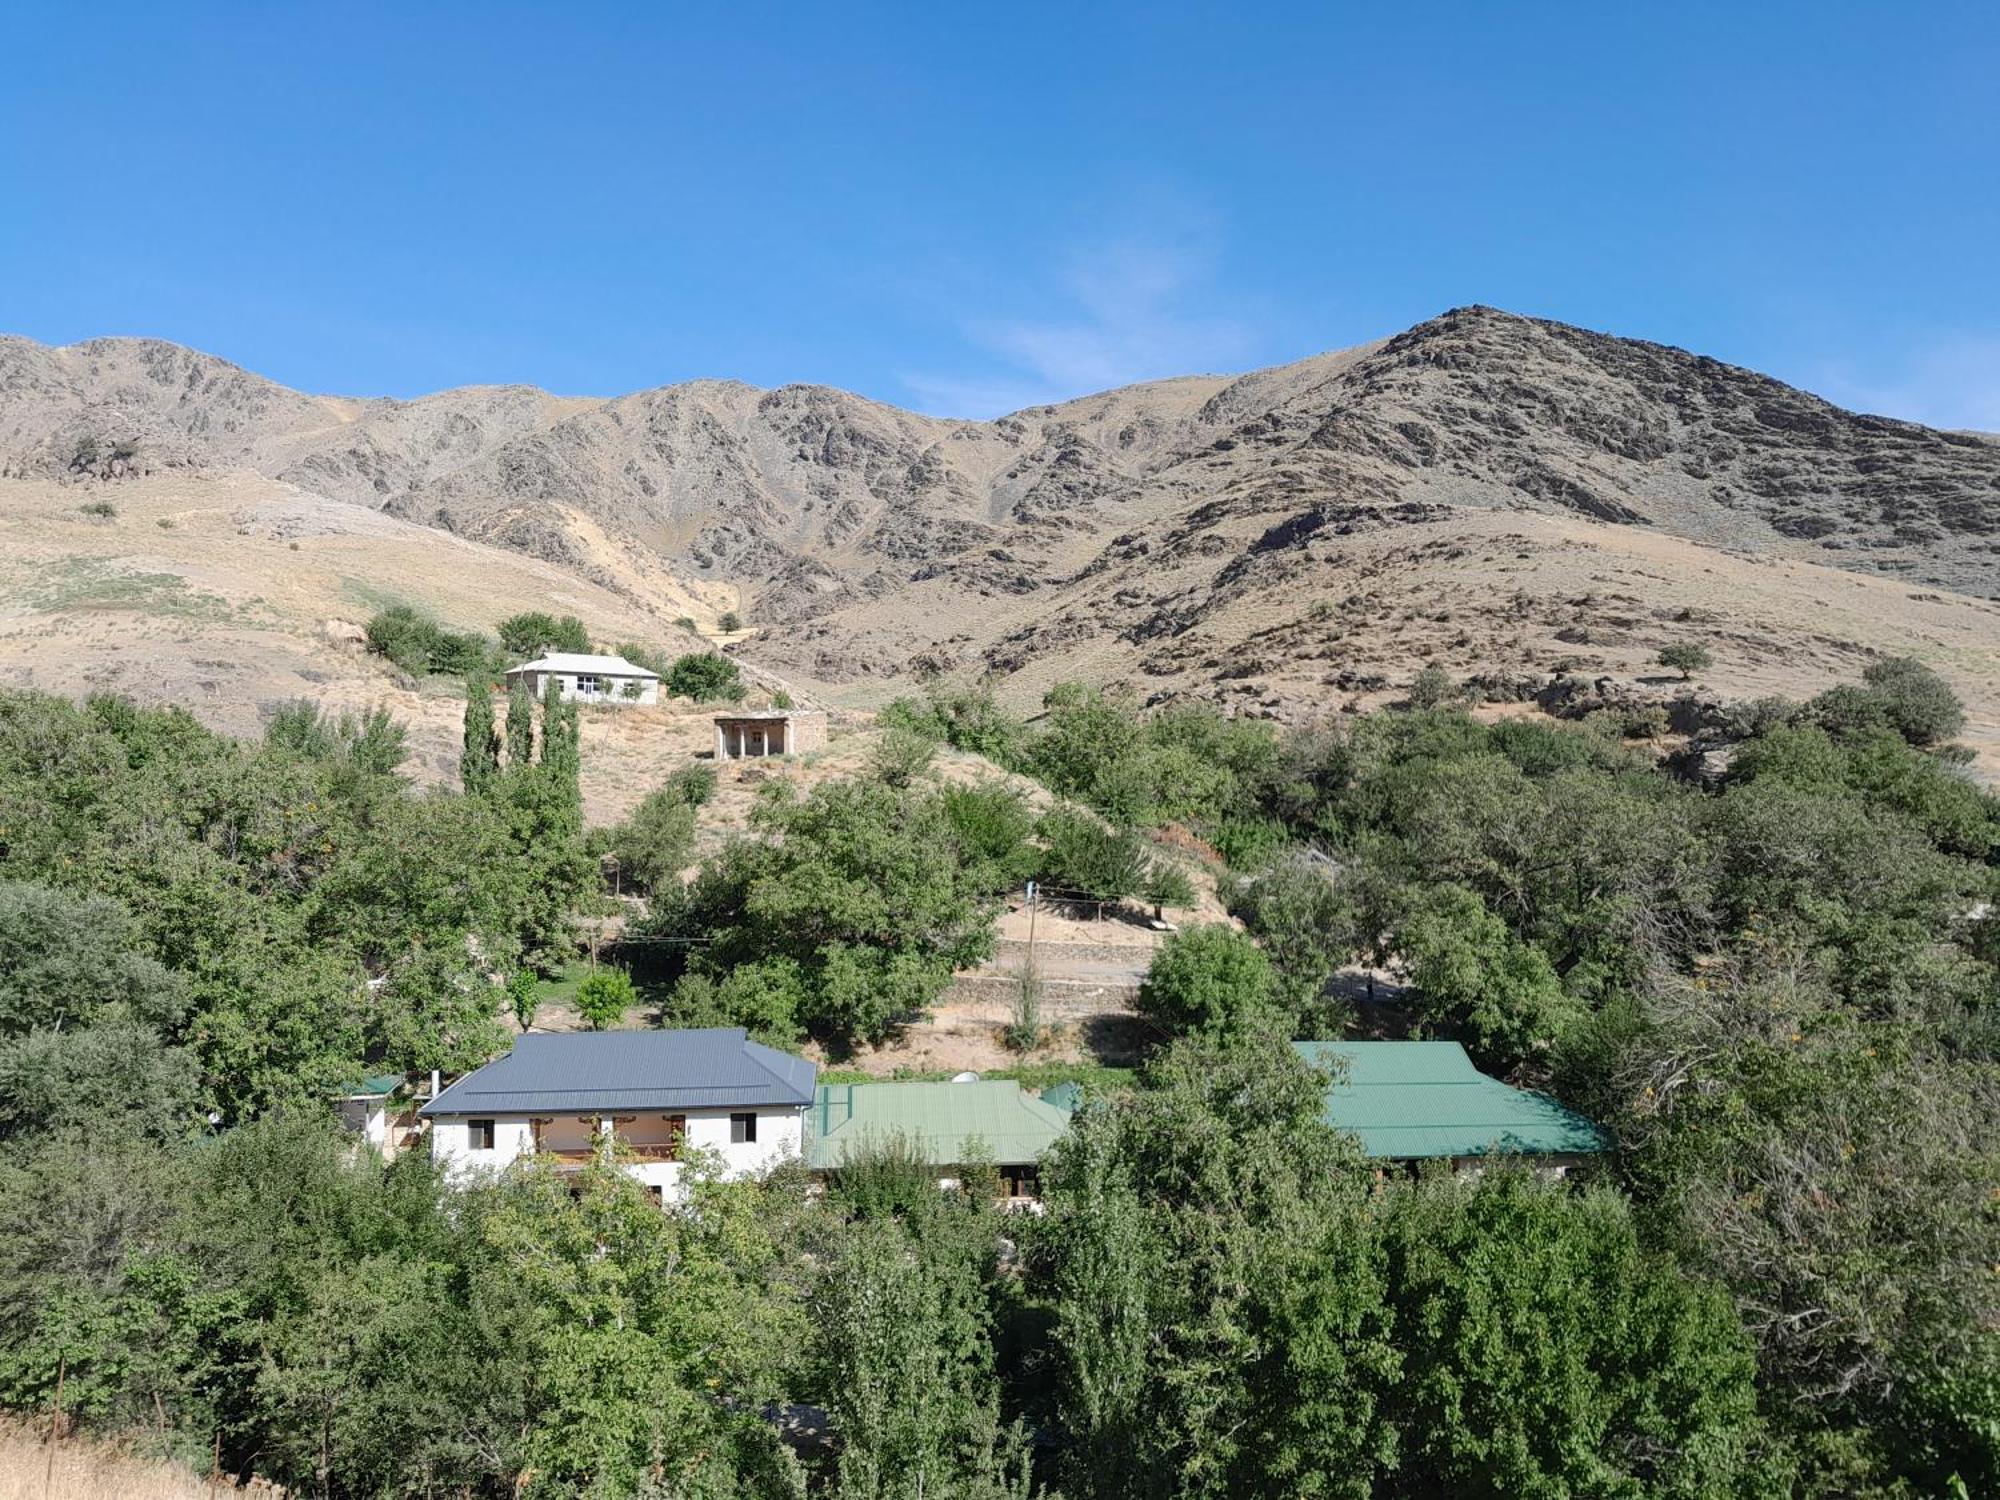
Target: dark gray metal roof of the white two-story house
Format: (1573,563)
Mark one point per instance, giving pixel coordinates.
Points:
(585,1073)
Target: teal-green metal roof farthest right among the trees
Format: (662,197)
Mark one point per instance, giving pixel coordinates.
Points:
(1425,1099)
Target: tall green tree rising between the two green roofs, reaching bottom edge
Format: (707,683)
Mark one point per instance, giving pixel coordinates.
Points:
(1175,1215)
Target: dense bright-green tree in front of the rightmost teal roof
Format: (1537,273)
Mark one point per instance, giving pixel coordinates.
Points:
(1547,1353)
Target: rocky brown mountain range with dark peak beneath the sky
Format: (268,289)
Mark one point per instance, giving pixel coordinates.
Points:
(1493,493)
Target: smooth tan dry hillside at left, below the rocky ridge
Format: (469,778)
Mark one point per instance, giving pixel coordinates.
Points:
(231,593)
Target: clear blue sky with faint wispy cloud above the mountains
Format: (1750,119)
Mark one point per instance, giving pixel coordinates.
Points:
(977,207)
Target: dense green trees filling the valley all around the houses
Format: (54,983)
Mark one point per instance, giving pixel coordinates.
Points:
(1775,985)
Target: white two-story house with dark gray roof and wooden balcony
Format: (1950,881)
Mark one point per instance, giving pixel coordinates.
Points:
(659,1095)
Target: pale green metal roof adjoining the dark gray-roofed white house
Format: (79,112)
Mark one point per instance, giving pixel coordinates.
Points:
(943,1119)
